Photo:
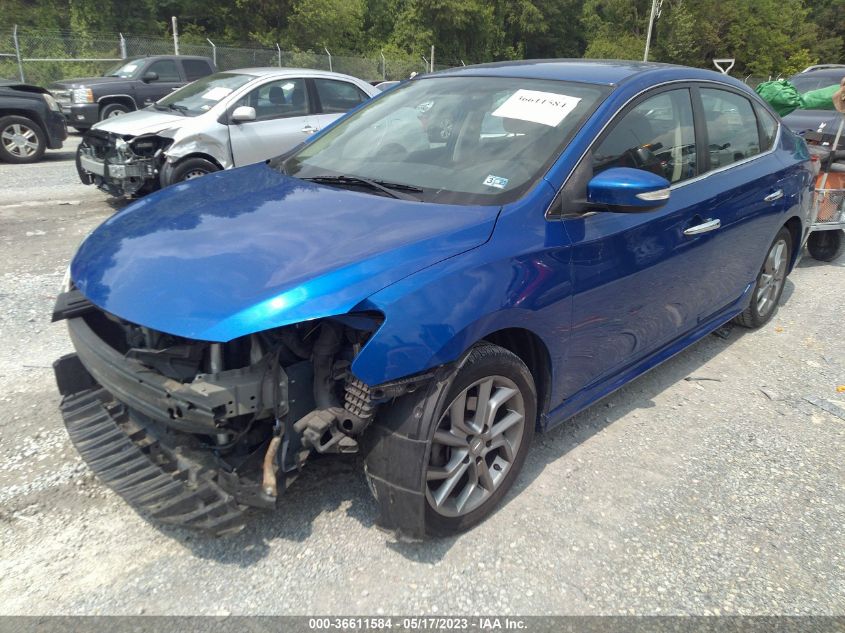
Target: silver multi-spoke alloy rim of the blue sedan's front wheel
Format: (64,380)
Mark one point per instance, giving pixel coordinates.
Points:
(474,446)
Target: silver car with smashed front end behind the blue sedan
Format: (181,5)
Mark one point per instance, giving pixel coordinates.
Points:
(224,120)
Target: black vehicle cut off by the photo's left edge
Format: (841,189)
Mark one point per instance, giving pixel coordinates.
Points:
(30,122)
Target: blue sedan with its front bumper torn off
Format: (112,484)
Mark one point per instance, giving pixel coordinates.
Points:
(468,258)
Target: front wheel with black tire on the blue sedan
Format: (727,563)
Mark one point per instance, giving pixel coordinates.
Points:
(477,438)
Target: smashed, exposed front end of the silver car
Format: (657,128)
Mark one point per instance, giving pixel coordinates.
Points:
(121,166)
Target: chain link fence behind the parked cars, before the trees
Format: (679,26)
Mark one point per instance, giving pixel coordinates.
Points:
(41,57)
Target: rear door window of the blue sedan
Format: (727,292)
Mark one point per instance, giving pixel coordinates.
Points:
(731,127)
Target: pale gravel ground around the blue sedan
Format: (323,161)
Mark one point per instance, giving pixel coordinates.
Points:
(709,486)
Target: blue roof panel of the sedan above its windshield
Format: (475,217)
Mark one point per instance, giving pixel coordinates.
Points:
(608,72)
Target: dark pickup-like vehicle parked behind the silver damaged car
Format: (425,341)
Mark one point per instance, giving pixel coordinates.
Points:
(131,85)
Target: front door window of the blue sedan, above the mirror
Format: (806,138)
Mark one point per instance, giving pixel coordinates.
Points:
(657,135)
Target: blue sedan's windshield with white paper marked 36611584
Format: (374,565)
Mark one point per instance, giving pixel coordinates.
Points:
(464,140)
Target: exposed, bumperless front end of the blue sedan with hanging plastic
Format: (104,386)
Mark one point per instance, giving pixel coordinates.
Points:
(193,432)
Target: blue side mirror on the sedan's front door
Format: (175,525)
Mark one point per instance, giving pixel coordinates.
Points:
(627,190)
